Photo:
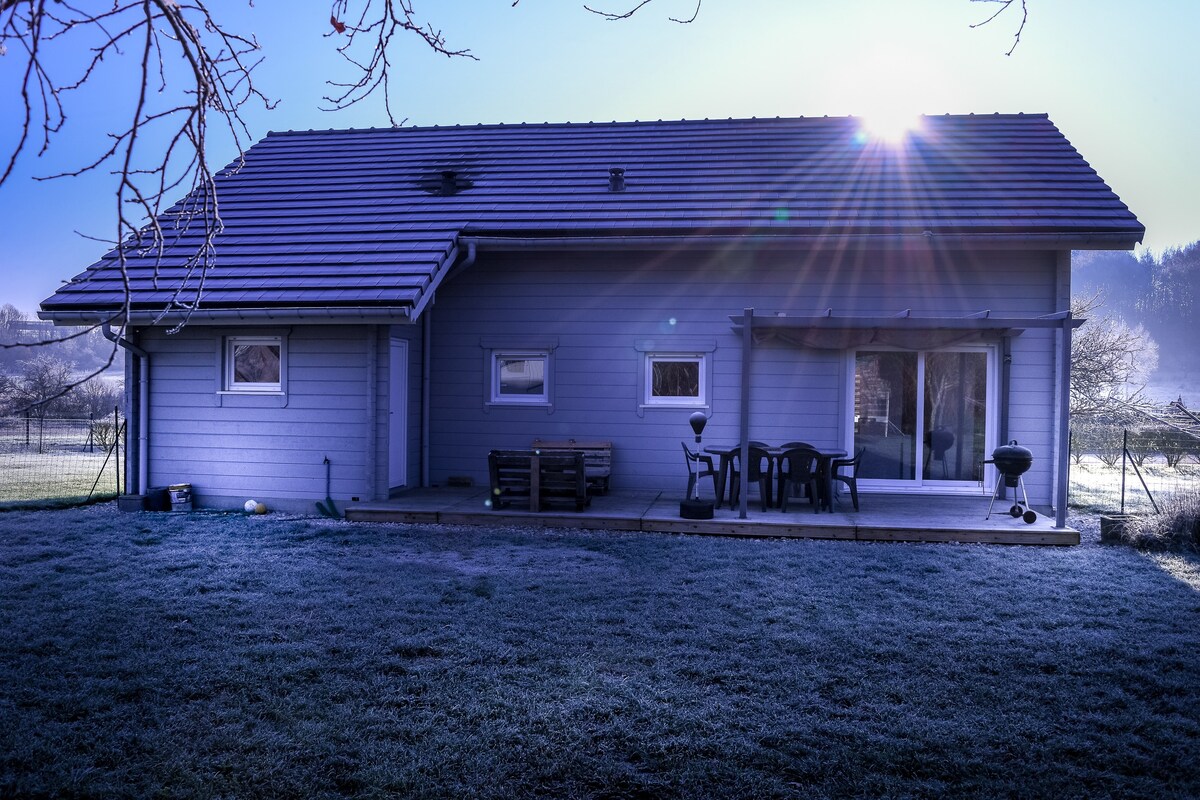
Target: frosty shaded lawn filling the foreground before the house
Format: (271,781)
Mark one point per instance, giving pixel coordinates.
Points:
(224,655)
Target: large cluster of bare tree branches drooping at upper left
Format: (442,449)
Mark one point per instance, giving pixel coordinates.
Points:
(188,68)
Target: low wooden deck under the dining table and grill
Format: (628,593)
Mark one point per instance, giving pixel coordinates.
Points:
(884,518)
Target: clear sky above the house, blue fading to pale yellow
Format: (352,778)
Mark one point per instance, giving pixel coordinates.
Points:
(1118,79)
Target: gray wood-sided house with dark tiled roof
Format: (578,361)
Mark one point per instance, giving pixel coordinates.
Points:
(391,305)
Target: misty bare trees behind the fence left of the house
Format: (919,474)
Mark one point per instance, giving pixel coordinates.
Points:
(43,370)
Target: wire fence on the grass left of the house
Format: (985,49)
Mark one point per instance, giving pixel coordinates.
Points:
(59,462)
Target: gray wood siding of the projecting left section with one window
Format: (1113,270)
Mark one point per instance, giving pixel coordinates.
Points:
(231,447)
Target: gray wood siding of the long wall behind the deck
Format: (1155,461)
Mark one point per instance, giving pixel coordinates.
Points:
(599,306)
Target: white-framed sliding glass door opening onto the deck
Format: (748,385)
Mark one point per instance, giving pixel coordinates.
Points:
(923,417)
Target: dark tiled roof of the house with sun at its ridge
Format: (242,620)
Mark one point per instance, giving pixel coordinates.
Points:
(364,220)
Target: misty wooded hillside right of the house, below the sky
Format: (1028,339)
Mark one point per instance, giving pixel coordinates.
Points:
(1160,293)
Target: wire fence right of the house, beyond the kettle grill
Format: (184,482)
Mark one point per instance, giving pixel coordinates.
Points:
(1132,471)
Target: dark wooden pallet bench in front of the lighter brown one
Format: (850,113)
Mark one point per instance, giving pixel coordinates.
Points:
(541,480)
